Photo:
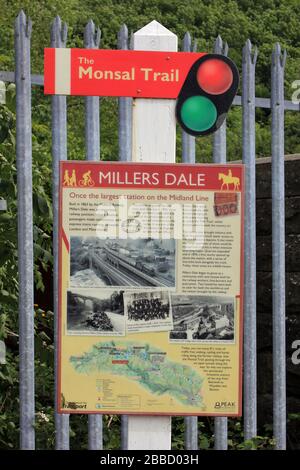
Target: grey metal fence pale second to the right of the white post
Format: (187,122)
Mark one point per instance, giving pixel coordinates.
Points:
(219,156)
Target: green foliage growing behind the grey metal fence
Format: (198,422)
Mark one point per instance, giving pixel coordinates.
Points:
(264,22)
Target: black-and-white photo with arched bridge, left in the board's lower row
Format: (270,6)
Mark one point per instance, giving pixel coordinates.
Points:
(95,312)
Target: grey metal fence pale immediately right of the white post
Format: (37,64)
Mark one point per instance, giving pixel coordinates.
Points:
(189,156)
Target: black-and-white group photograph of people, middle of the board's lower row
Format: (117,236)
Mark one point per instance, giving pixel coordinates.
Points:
(148,311)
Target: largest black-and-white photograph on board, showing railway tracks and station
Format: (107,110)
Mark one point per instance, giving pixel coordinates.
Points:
(95,262)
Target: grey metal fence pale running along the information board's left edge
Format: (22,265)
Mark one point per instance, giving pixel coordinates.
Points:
(59,152)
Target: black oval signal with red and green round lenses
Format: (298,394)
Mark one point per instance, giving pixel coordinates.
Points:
(207,94)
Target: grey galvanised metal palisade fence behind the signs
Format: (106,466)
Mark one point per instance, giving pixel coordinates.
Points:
(24,80)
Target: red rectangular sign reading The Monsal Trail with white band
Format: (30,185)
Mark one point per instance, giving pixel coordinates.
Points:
(138,74)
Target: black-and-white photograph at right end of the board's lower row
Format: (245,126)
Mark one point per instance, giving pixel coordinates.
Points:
(199,318)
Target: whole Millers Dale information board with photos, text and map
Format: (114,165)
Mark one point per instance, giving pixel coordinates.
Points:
(151,301)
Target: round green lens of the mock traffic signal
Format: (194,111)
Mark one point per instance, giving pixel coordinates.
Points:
(198,113)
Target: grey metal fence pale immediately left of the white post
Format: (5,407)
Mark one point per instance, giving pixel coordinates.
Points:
(125,141)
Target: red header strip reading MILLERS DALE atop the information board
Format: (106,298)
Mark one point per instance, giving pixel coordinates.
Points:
(152,176)
